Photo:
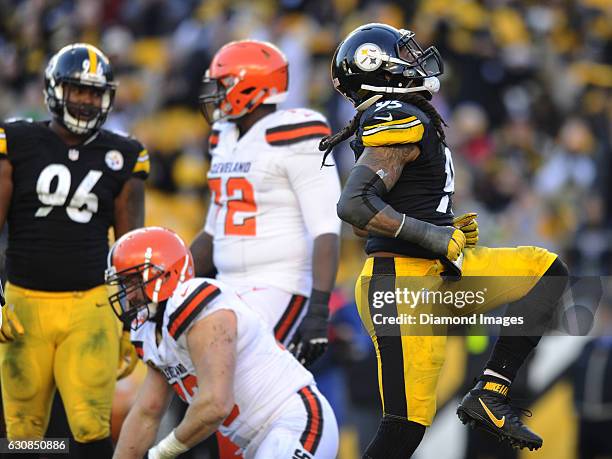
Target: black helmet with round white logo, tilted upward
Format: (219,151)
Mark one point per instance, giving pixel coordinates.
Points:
(380,59)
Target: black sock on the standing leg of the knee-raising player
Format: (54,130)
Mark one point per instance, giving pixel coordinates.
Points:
(396,438)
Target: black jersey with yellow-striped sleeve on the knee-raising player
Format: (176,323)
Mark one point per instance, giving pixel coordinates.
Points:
(426,185)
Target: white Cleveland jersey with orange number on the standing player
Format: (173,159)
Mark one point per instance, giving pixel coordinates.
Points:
(270,199)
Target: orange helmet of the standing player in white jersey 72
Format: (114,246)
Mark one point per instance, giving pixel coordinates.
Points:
(242,76)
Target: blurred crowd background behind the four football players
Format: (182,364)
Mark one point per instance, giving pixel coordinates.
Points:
(526,95)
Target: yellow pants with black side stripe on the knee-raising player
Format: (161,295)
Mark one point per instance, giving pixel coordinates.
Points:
(409,366)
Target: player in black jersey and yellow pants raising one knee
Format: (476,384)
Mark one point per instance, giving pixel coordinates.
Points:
(399,196)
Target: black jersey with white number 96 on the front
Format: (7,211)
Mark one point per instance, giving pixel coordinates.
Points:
(63,203)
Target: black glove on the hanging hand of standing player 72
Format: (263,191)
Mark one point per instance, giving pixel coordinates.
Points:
(310,339)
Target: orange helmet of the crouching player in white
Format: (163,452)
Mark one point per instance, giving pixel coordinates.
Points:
(147,265)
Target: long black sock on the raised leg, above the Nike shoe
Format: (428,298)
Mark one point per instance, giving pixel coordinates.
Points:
(538,308)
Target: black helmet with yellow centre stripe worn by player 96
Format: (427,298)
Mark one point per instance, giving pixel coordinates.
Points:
(79,65)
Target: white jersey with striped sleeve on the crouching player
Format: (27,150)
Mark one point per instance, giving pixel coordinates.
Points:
(266,375)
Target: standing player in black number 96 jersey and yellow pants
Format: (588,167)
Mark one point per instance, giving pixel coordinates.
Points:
(63,184)
